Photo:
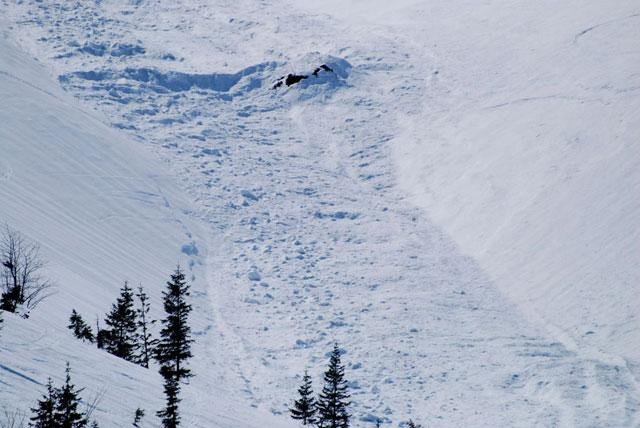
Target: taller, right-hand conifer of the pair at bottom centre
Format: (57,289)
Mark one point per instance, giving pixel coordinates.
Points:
(332,402)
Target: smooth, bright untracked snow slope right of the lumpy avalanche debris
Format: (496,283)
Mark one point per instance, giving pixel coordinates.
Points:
(524,147)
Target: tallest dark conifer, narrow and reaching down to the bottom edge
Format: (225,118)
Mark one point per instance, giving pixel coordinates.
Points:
(174,346)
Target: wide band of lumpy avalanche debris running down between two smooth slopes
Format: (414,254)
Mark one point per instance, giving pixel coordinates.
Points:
(309,240)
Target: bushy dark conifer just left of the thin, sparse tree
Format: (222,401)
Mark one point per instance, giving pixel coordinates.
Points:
(121,339)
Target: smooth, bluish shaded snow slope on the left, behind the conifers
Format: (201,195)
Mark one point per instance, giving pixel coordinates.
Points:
(104,211)
